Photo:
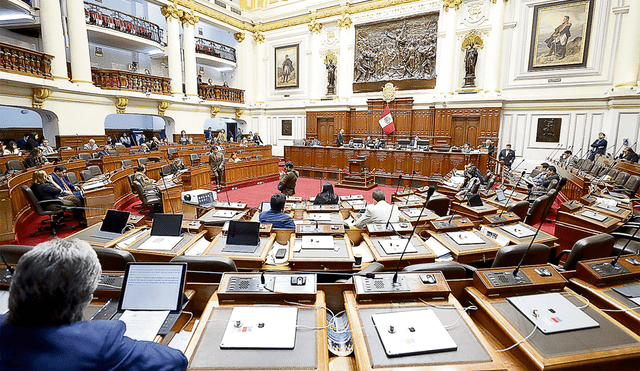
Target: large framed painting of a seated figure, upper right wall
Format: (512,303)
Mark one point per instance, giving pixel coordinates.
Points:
(560,35)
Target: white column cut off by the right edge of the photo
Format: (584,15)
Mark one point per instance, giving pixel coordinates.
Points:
(628,54)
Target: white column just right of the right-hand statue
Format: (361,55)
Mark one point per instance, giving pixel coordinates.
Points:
(493,50)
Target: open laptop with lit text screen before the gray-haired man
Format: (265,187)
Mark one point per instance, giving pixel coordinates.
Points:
(154,286)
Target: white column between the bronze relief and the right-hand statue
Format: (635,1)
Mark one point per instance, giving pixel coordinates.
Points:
(448,60)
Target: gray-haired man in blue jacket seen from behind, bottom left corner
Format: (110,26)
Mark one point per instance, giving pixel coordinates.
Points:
(44,330)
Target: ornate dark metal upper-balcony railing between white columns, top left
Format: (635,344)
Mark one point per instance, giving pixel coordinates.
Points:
(115,20)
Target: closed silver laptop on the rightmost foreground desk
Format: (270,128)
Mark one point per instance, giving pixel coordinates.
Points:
(555,312)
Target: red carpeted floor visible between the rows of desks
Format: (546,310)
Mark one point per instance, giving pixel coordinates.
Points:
(253,195)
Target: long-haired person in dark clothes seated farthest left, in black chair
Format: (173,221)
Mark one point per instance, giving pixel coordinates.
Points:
(54,197)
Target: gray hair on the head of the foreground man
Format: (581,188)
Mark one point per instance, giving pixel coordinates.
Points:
(53,284)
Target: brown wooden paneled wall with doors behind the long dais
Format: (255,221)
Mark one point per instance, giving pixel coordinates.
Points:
(444,127)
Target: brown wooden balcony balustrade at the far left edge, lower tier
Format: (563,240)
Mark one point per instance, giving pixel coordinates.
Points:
(23,61)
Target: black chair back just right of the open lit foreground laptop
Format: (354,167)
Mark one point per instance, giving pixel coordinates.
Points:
(206,268)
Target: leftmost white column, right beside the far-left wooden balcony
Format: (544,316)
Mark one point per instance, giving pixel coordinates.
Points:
(53,38)
